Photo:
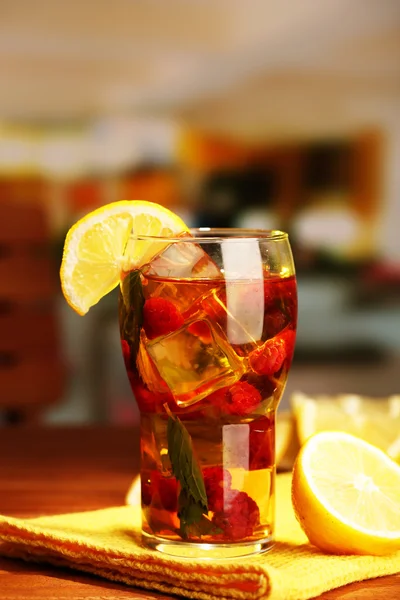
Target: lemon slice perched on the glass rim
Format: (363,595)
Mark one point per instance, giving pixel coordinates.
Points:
(102,245)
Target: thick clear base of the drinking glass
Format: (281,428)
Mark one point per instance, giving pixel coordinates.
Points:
(207,551)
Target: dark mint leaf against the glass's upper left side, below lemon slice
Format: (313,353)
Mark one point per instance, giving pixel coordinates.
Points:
(131,311)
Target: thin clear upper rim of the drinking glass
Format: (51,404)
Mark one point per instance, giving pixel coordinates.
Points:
(214,235)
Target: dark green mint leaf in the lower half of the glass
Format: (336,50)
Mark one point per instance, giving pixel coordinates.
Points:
(192,502)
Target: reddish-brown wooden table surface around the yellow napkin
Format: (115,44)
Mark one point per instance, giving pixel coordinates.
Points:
(50,471)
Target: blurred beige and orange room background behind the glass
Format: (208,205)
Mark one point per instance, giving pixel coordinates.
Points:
(231,113)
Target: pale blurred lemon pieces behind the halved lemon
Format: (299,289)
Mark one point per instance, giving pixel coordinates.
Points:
(374,420)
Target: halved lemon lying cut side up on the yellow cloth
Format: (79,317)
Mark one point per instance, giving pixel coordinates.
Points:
(346,495)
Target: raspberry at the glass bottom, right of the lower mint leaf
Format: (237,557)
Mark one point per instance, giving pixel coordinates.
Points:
(239,517)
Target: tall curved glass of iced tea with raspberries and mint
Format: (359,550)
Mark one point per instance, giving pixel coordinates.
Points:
(208,331)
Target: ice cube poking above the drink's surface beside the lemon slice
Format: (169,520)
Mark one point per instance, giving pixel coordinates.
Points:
(184,260)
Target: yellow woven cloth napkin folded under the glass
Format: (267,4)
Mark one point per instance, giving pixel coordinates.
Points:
(107,543)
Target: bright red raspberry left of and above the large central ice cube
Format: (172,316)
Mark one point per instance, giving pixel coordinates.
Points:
(160,317)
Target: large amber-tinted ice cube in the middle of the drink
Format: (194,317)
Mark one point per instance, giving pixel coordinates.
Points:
(194,366)
